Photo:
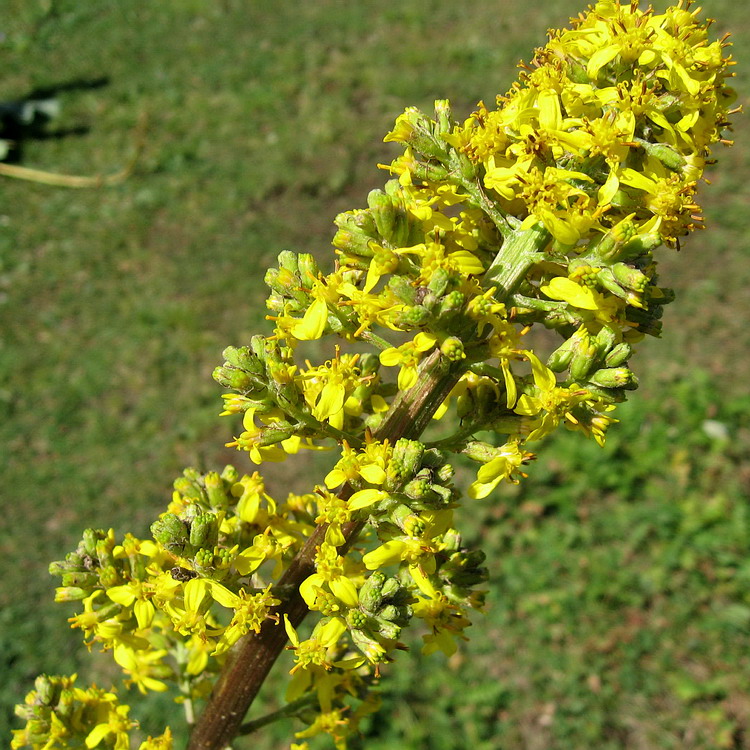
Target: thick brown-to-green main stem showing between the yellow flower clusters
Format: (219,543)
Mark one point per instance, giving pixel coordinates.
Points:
(253,656)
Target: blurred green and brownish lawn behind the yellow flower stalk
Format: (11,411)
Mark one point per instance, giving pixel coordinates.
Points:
(620,613)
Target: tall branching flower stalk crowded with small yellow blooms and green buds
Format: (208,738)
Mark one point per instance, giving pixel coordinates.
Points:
(546,210)
